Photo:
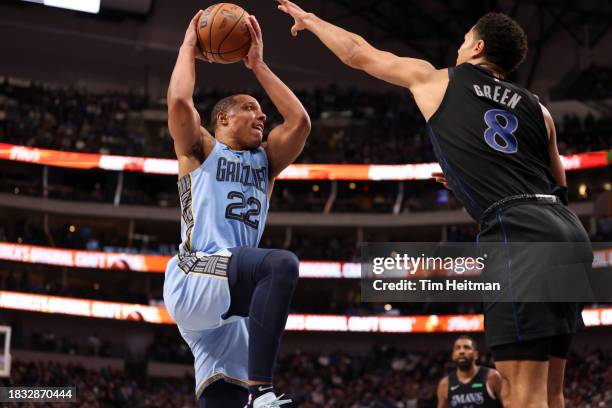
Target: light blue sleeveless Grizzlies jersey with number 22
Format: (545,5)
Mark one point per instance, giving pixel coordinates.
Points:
(224,202)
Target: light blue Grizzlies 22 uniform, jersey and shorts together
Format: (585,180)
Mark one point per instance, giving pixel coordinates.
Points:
(224,204)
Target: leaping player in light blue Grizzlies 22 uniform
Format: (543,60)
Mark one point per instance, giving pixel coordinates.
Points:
(220,278)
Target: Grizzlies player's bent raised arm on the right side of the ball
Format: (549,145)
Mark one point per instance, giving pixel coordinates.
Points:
(286,141)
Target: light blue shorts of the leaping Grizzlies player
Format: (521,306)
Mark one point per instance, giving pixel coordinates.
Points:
(197,296)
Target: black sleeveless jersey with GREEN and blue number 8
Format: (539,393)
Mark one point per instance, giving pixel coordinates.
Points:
(490,139)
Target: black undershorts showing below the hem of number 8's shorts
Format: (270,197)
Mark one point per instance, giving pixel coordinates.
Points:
(540,349)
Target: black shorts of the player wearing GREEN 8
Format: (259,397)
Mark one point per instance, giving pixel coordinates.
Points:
(513,322)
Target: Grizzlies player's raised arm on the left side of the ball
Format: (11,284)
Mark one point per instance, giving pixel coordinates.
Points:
(191,141)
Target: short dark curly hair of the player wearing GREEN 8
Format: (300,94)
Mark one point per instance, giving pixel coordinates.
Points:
(505,41)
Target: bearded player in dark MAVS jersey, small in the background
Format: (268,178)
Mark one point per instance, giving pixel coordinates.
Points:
(471,385)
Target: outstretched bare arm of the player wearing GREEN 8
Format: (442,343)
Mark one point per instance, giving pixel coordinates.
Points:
(357,53)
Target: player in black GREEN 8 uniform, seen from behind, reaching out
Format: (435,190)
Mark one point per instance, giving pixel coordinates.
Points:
(497,148)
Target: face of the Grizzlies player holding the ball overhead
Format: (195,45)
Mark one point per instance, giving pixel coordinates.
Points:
(247,121)
